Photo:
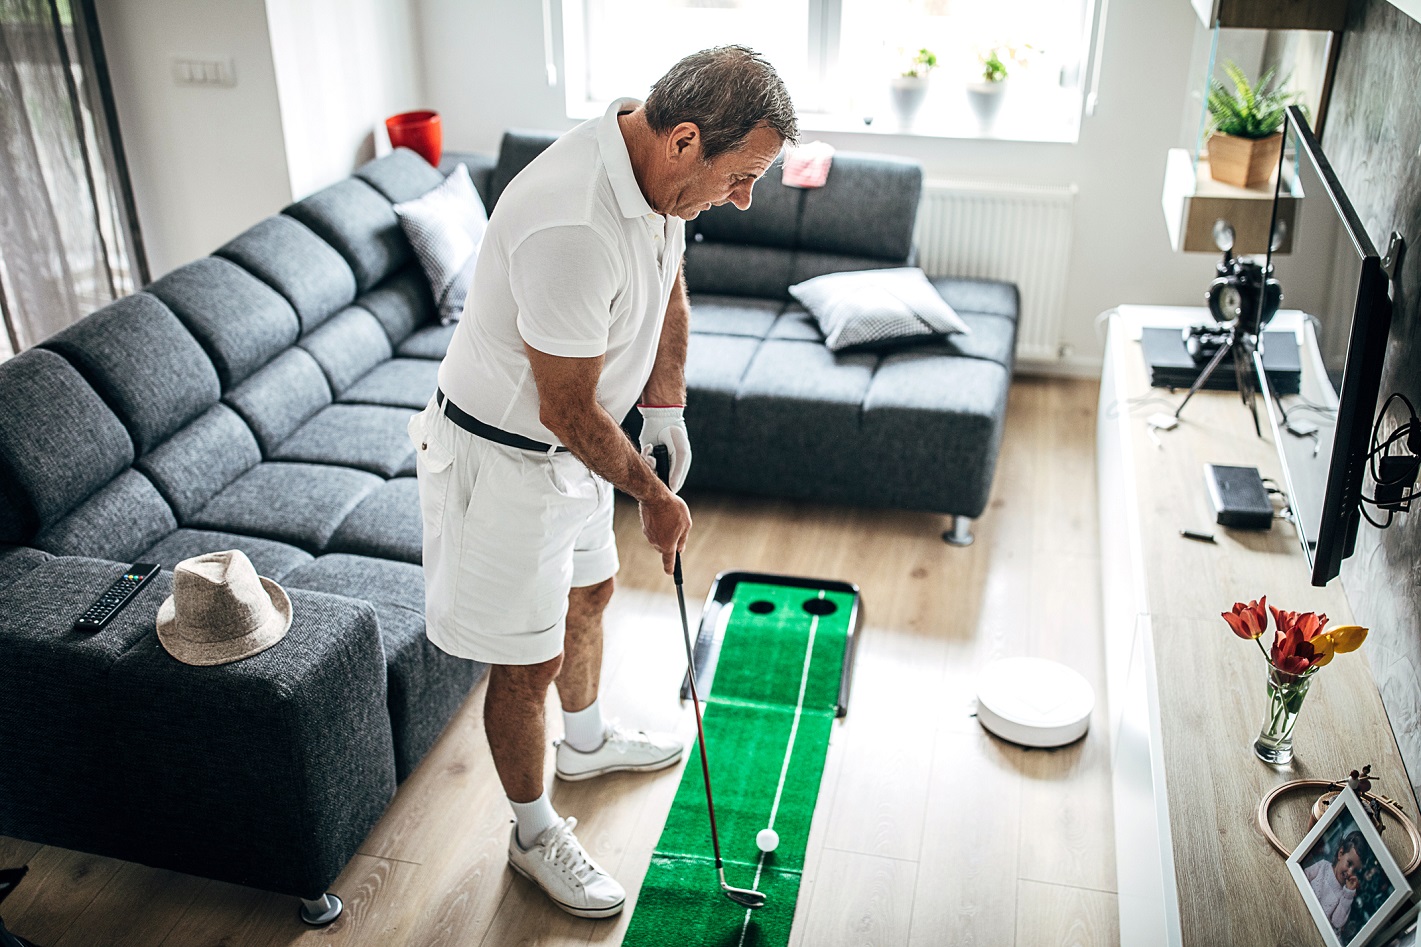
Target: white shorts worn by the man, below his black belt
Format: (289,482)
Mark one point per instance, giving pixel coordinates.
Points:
(508,533)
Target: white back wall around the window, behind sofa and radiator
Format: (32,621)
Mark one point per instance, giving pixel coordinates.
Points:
(485,73)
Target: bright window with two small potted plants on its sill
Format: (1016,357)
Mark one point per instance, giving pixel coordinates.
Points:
(839,58)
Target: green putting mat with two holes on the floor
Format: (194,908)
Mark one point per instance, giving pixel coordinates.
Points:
(772,702)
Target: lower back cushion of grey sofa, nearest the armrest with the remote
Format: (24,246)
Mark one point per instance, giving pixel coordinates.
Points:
(124,518)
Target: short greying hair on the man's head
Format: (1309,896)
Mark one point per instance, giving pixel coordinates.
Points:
(727,92)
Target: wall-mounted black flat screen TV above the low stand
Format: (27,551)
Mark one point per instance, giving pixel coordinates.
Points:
(1331,272)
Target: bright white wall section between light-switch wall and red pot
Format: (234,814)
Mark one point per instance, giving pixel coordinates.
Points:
(342,69)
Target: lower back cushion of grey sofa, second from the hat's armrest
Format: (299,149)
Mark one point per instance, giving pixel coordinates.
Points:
(201,460)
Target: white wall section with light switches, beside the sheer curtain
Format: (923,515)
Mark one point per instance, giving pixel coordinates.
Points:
(205,163)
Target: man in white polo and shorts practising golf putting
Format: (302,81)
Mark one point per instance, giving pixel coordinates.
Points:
(578,314)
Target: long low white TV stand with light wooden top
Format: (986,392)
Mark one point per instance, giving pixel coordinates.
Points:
(1186,696)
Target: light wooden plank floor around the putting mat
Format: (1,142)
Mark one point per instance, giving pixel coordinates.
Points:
(929,833)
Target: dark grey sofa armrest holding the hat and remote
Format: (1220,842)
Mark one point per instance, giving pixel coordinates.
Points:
(268,771)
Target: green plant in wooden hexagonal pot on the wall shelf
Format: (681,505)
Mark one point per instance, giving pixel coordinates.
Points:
(1246,137)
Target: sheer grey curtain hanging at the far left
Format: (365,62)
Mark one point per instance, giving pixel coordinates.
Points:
(69,235)
